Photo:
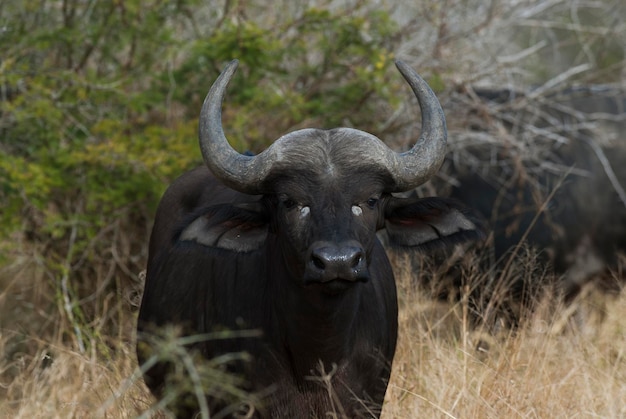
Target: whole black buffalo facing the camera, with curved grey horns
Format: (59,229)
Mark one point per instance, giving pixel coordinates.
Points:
(286,243)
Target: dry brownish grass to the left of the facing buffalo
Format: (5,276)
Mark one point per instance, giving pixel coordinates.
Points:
(45,372)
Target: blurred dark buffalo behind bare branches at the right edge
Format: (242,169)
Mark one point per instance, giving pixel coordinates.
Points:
(551,178)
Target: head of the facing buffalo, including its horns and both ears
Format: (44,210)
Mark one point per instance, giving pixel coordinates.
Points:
(323,194)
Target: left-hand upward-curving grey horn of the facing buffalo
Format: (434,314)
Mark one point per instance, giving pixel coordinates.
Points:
(240,172)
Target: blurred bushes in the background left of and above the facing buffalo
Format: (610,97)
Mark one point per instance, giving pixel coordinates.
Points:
(99,103)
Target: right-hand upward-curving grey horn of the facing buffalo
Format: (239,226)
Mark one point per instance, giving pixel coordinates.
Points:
(421,162)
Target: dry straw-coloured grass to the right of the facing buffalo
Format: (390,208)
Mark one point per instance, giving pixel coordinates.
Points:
(541,370)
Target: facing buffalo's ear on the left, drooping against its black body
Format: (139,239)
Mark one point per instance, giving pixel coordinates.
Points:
(240,228)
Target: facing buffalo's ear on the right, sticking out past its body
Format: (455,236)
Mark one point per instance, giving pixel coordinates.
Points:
(430,222)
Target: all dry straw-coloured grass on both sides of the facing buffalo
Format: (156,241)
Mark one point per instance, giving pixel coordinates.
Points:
(438,371)
